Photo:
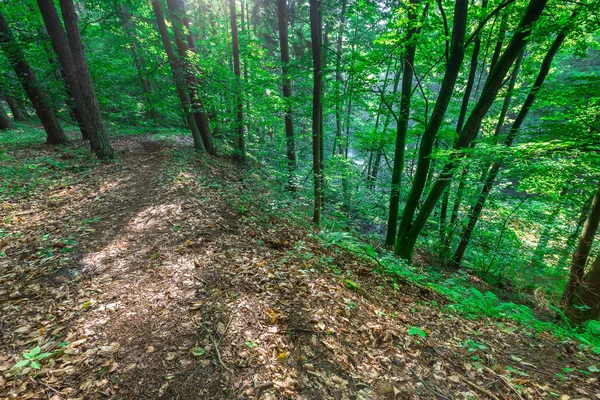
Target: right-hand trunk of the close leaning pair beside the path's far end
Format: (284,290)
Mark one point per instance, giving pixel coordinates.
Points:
(185,43)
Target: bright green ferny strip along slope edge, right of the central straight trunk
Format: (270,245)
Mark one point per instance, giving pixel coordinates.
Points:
(465,299)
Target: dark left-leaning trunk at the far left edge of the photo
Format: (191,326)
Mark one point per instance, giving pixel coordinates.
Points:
(54,132)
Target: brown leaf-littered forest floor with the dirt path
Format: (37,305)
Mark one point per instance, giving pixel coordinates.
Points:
(145,282)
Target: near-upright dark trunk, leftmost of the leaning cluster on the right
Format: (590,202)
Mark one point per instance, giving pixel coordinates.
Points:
(402,125)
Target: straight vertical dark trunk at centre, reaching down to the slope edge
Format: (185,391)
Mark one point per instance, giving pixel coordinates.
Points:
(315,34)
